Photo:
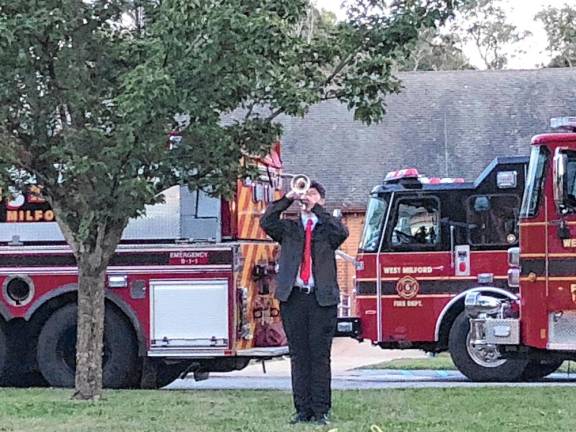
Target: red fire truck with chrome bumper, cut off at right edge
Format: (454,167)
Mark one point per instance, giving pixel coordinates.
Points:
(540,324)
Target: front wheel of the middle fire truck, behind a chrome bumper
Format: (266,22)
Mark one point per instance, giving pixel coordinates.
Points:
(480,364)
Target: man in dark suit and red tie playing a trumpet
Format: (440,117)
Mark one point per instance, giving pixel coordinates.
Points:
(308,292)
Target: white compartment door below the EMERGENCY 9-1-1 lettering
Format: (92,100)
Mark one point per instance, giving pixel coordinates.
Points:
(189,313)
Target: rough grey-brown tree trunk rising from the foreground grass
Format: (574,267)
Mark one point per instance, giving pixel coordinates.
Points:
(90,339)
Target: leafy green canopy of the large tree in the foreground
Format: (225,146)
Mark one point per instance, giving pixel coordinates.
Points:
(89,91)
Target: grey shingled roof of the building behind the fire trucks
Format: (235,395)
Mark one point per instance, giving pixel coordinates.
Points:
(443,123)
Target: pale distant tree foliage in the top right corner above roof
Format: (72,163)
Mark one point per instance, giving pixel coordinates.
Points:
(560,26)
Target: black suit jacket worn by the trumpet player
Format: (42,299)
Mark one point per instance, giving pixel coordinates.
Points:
(329,233)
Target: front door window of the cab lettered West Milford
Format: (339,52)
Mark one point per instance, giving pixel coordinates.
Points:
(417,225)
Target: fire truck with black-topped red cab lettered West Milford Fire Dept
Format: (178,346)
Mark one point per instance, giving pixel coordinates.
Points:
(427,244)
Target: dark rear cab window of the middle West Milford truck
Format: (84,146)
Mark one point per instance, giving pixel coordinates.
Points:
(493,219)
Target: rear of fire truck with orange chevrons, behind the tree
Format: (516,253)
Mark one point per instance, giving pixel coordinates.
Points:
(189,290)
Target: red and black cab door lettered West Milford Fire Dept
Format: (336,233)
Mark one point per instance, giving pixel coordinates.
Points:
(416,268)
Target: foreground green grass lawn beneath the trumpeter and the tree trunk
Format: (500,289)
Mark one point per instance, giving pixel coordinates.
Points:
(480,409)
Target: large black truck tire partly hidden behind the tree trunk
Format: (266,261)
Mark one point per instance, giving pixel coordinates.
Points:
(57,349)
